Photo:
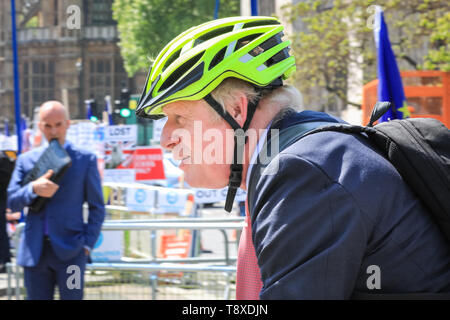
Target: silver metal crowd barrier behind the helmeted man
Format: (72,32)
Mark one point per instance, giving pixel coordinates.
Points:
(150,269)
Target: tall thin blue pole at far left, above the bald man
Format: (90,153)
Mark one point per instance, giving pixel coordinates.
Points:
(16,78)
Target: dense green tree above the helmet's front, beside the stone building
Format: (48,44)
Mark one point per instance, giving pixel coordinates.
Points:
(146,26)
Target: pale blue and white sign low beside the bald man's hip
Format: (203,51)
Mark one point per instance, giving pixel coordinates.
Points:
(109,246)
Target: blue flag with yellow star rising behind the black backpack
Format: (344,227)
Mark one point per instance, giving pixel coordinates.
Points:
(390,86)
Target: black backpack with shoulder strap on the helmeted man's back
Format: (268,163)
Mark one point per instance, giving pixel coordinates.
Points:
(419,148)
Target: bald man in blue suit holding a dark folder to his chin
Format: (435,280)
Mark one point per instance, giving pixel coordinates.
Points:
(57,240)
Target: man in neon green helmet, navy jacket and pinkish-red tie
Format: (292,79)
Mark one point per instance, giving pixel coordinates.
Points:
(317,218)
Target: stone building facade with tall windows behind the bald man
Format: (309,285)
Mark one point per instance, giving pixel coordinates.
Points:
(67,51)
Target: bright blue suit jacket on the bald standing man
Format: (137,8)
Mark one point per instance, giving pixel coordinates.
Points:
(67,230)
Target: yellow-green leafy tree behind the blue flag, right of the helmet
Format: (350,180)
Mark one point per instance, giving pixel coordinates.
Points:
(337,33)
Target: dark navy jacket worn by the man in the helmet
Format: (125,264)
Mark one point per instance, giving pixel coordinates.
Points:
(334,212)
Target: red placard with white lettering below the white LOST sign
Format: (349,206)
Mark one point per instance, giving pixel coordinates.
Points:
(148,163)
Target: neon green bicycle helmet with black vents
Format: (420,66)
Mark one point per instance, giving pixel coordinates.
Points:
(194,63)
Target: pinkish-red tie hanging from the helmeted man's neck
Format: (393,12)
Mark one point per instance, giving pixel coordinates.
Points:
(248,277)
